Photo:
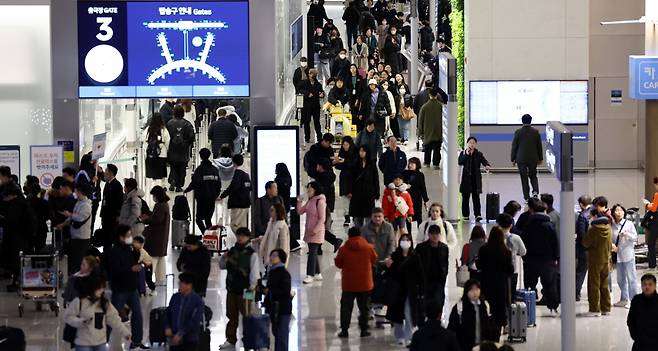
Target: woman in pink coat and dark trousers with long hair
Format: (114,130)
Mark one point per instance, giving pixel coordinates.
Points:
(315,209)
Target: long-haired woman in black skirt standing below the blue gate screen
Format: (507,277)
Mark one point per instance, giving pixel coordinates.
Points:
(156,140)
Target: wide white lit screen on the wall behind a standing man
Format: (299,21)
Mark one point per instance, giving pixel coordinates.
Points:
(504,102)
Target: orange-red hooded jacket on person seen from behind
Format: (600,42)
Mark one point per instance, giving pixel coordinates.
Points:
(356,259)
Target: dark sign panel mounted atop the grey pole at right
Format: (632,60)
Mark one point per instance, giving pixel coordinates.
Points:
(559,151)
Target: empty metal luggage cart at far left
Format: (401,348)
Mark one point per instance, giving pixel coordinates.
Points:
(39,281)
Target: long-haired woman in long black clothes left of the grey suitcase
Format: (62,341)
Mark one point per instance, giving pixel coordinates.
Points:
(495,264)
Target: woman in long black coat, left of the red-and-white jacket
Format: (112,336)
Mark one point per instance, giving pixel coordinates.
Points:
(365,187)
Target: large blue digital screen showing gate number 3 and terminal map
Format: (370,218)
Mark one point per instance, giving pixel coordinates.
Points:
(163,49)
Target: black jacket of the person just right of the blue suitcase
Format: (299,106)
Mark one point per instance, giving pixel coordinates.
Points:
(278,300)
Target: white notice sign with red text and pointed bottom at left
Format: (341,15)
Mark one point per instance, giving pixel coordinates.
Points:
(46,163)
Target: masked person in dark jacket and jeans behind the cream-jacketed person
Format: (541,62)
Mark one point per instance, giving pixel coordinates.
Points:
(123,272)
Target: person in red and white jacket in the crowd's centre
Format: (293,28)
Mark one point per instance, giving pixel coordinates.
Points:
(397,204)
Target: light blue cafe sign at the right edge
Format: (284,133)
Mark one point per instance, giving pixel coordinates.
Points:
(643,77)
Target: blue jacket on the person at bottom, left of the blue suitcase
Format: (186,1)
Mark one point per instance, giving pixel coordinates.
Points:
(184,316)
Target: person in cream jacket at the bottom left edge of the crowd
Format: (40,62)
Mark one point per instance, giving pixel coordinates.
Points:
(91,314)
